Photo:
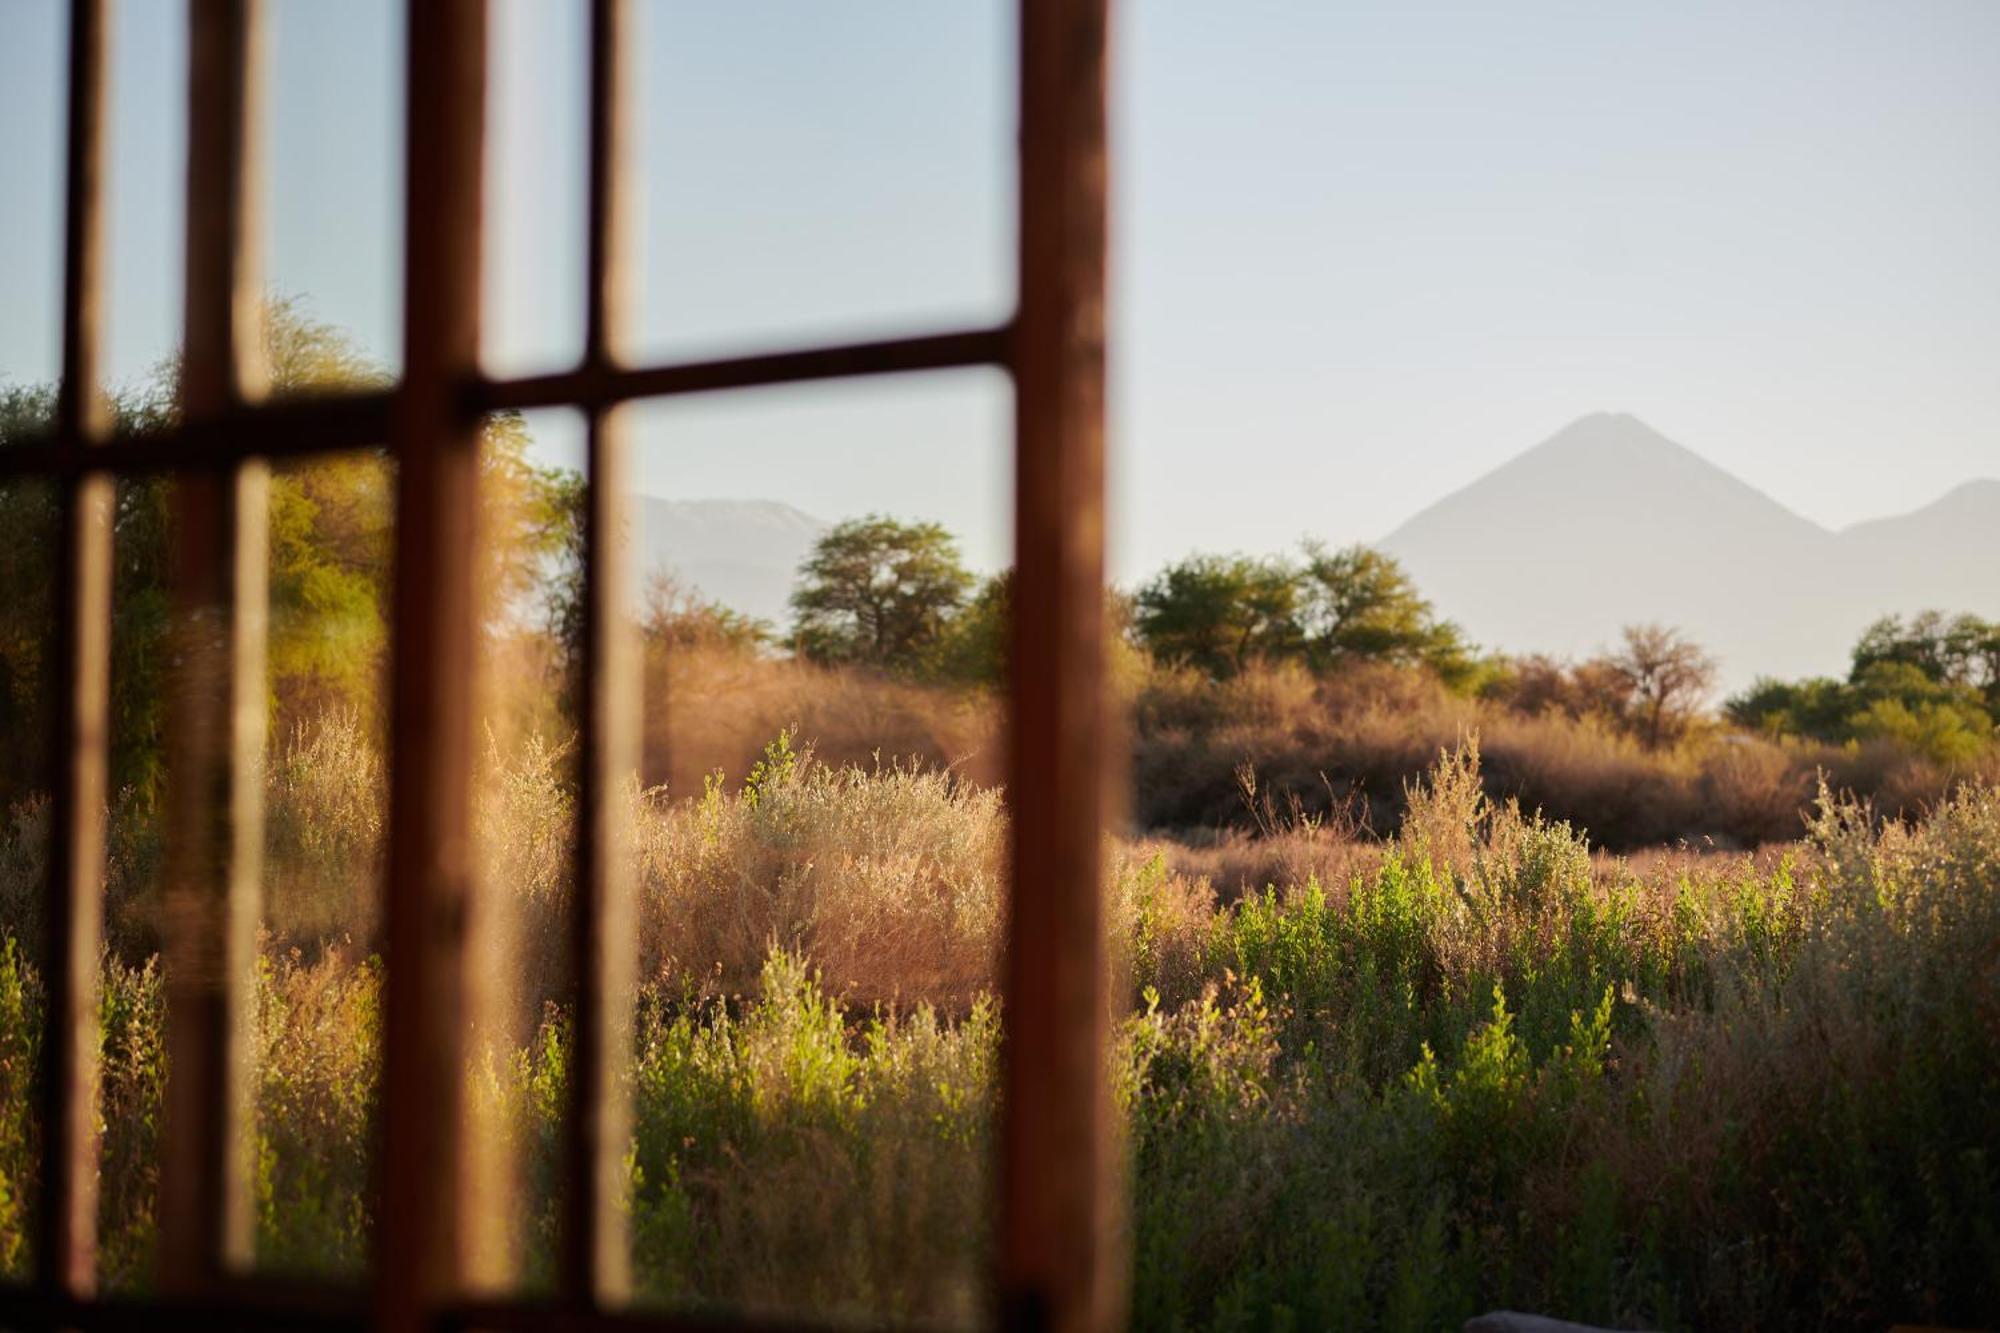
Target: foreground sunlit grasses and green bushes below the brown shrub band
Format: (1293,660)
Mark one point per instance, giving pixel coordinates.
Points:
(1363,1082)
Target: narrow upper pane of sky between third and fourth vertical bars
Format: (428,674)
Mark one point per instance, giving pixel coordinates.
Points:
(537,185)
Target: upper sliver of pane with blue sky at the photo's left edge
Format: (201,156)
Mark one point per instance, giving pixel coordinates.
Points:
(33,105)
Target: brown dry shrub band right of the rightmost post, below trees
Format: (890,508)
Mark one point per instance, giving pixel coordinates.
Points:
(1347,746)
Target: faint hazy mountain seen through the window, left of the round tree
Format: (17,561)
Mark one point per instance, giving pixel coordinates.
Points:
(741,553)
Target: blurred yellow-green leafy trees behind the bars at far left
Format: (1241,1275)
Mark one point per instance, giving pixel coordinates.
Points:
(329,557)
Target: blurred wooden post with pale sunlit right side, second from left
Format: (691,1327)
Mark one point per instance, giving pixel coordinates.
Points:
(217,690)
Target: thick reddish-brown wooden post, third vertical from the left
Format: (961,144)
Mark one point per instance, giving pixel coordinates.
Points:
(425,1166)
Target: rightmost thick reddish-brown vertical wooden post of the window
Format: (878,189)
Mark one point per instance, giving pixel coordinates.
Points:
(1057,1260)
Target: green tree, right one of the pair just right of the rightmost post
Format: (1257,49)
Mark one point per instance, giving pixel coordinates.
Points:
(1359,603)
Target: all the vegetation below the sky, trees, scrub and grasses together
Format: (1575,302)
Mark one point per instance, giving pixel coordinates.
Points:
(1445,980)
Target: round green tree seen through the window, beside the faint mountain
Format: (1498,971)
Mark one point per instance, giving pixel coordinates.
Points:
(879,593)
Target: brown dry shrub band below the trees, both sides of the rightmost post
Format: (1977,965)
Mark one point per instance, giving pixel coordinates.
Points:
(1335,748)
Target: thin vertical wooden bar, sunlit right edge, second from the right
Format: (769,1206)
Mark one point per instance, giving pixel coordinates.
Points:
(595,1242)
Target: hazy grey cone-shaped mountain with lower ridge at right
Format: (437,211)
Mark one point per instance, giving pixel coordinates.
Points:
(1611,523)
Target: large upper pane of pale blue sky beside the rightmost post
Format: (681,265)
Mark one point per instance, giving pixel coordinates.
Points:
(797,197)
